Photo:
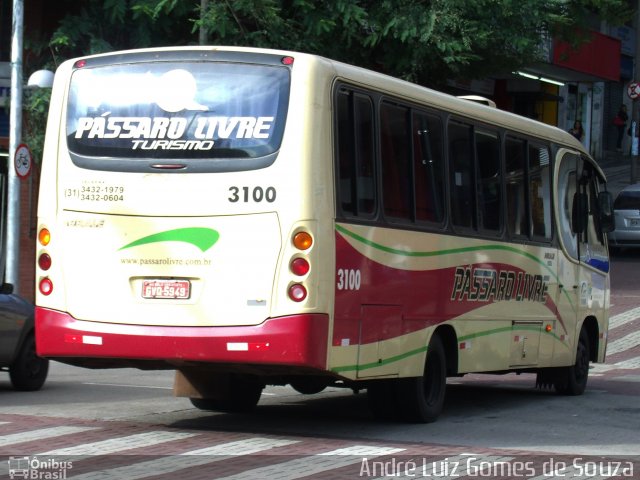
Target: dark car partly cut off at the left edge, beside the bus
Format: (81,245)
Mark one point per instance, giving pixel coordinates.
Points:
(27,371)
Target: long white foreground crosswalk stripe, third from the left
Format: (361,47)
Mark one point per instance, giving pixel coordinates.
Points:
(190,459)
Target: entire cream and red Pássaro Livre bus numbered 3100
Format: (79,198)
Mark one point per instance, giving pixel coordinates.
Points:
(255,217)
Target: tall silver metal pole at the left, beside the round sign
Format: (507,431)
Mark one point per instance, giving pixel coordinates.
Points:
(15,136)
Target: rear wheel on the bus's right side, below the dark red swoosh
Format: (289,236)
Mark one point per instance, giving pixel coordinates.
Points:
(421,399)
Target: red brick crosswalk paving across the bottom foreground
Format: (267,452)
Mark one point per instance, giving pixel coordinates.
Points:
(300,457)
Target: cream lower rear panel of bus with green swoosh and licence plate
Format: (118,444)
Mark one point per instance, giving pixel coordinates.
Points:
(189,271)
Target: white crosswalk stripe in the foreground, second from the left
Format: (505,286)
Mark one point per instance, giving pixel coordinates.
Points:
(113,445)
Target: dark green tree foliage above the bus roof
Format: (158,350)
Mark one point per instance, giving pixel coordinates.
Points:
(424,41)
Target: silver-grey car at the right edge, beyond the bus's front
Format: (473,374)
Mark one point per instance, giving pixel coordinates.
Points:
(626,210)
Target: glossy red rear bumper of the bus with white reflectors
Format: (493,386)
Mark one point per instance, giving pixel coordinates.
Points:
(290,341)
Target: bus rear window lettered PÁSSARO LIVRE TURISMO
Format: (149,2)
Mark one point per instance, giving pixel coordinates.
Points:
(176,110)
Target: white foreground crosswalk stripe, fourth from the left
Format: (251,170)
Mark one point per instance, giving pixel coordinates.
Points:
(311,465)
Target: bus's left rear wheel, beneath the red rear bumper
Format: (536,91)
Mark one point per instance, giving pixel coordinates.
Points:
(240,394)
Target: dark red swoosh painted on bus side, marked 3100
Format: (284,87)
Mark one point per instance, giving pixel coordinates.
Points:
(393,301)
